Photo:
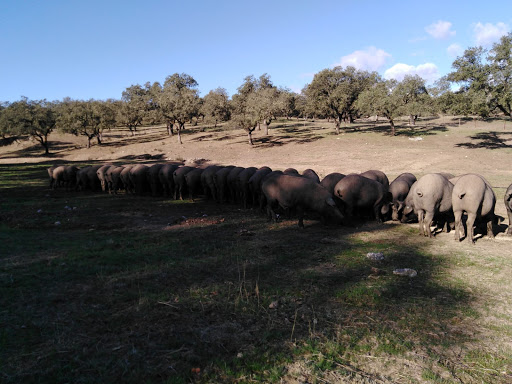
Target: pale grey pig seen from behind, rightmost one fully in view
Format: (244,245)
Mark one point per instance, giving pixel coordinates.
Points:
(474,195)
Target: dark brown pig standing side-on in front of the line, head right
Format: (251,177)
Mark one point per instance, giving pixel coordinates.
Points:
(300,193)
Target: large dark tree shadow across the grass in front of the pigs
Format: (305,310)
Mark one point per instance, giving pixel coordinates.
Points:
(217,289)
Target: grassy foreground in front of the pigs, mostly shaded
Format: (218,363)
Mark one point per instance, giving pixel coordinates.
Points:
(99,288)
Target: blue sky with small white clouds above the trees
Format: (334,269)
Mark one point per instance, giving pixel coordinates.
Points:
(95,49)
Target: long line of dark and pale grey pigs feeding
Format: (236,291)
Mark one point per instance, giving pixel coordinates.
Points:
(435,198)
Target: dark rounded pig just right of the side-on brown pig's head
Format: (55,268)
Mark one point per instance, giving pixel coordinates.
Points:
(358,194)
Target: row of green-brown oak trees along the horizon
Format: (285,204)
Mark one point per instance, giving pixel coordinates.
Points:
(480,84)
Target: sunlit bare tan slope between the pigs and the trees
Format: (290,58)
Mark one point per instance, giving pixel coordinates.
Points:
(445,144)
